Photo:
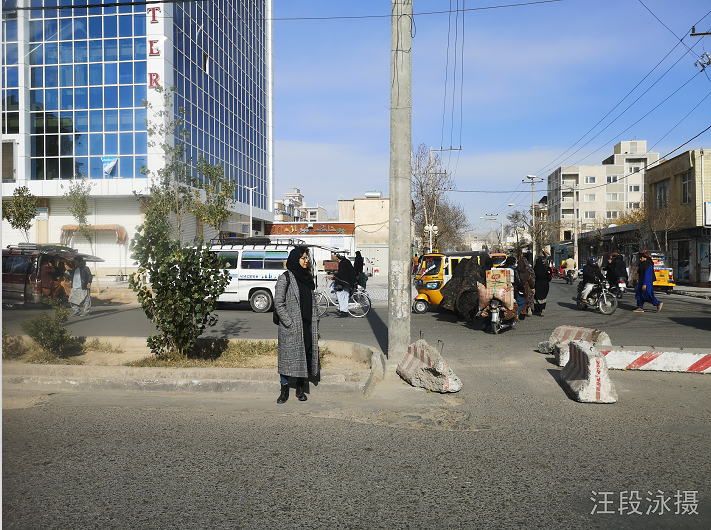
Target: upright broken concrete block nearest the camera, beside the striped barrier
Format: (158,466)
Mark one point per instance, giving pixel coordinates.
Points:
(585,376)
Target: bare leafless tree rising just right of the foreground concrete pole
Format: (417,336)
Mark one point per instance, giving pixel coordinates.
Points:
(430,183)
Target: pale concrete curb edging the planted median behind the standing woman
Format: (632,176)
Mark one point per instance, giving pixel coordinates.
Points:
(196,380)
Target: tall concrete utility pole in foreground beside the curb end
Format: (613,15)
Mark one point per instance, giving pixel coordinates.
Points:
(400,254)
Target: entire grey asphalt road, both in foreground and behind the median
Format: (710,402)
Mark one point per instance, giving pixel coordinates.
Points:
(510,450)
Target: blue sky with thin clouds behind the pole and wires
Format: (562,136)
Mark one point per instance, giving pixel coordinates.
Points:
(530,82)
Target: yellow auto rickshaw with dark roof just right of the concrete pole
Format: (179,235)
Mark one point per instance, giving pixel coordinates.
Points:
(434,271)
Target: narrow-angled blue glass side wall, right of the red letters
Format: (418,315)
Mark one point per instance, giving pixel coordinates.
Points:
(221,78)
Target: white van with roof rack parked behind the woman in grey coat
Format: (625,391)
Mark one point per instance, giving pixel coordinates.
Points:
(254,265)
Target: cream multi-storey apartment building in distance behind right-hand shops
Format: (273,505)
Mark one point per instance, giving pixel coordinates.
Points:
(587,197)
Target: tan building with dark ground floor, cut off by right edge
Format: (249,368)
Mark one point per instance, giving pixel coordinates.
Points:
(679,189)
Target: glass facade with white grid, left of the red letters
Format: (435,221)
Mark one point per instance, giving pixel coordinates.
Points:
(87,85)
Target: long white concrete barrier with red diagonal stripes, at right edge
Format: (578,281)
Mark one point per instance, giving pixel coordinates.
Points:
(660,359)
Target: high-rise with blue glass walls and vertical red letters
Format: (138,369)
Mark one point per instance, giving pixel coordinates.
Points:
(74,80)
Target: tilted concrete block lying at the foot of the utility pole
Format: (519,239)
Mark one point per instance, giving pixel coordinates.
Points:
(424,367)
